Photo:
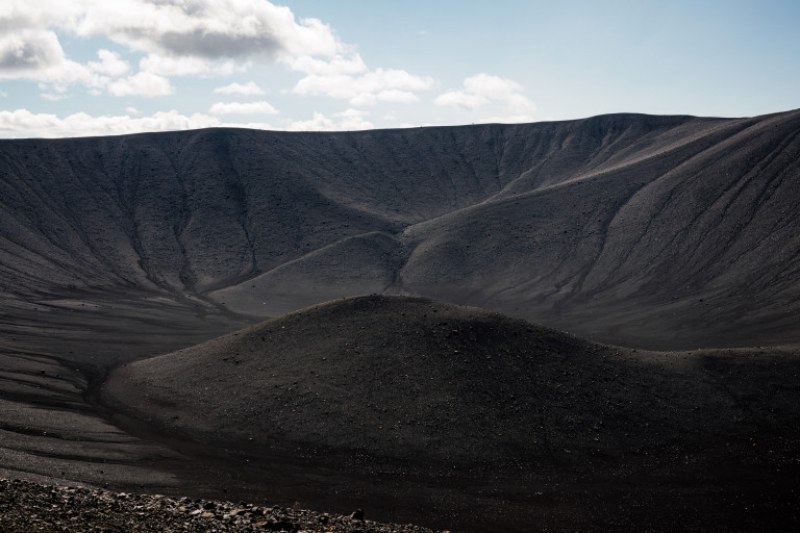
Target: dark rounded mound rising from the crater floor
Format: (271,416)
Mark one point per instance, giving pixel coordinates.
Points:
(436,384)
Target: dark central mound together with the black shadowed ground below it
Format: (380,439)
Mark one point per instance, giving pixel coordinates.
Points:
(477,421)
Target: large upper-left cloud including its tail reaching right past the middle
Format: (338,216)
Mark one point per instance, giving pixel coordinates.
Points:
(189,37)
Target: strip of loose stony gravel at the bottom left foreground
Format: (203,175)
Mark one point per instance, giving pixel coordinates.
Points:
(32,507)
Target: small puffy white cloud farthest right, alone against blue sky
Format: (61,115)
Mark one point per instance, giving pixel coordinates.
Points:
(483,89)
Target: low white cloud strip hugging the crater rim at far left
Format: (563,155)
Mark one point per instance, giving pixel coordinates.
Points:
(23,123)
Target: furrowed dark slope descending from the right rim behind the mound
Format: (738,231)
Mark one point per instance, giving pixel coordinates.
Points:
(689,247)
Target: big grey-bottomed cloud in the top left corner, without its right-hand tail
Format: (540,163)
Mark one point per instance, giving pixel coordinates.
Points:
(178,37)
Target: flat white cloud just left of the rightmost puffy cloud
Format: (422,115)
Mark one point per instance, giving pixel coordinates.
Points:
(380,85)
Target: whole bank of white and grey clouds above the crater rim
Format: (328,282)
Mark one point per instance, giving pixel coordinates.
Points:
(137,54)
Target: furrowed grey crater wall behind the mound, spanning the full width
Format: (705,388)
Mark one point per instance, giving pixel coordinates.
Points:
(651,231)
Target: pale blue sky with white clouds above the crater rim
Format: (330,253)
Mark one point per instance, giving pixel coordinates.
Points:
(101,67)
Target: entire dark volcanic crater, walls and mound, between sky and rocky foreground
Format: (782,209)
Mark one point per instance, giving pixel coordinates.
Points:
(457,299)
